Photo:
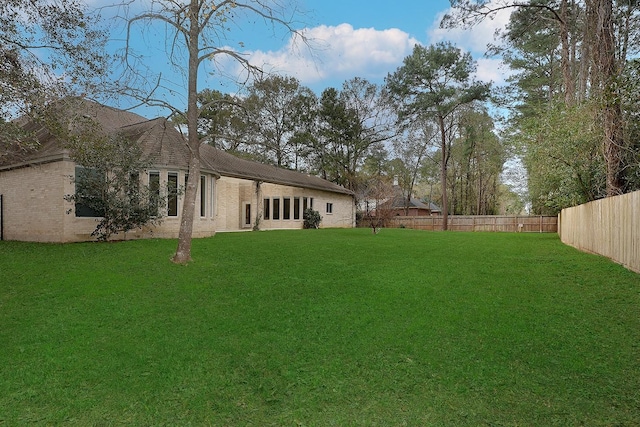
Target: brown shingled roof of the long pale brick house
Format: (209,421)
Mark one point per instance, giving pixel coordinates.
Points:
(163,145)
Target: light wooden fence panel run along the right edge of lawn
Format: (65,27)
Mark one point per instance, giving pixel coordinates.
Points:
(609,227)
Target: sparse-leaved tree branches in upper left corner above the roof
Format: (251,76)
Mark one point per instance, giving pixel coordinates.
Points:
(40,42)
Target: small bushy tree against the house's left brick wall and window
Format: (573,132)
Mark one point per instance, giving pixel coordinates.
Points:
(107,185)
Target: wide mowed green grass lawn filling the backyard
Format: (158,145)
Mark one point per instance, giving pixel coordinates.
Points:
(319,328)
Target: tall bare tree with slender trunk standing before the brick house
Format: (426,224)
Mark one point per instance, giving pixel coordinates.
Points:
(197,33)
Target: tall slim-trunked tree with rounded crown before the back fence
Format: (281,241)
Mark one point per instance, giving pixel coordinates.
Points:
(436,82)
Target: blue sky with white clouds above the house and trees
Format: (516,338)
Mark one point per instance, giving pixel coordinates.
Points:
(348,38)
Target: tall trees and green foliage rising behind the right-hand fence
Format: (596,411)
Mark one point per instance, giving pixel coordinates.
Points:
(571,99)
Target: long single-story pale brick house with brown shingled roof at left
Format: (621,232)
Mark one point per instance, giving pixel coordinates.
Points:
(233,193)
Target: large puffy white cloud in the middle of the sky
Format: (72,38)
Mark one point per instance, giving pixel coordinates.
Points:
(337,53)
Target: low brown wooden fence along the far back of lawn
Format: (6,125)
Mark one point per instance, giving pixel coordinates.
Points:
(537,224)
